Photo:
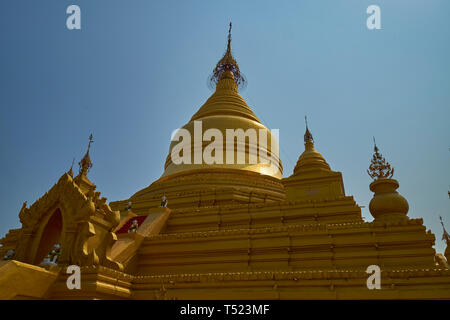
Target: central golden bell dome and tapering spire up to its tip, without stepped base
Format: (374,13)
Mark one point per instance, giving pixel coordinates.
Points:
(225,109)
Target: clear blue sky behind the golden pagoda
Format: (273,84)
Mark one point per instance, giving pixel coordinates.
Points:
(138,69)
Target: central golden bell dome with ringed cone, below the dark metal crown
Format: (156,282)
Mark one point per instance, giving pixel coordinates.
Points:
(227,110)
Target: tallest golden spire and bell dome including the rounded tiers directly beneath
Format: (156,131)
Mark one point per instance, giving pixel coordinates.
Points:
(226,183)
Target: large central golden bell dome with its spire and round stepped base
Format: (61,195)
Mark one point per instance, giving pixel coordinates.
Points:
(223,155)
